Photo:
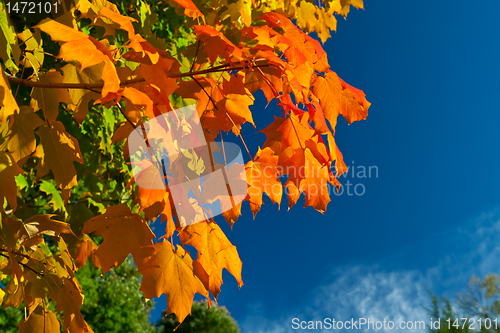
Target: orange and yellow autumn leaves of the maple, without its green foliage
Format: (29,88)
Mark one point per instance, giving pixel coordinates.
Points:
(228,63)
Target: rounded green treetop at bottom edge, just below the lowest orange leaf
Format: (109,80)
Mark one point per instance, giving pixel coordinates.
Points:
(216,320)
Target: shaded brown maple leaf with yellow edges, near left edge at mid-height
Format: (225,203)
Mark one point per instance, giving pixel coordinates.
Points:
(57,151)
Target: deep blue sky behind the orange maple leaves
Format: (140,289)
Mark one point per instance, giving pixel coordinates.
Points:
(430,219)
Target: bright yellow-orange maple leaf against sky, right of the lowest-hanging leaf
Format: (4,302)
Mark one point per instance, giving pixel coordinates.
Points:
(215,252)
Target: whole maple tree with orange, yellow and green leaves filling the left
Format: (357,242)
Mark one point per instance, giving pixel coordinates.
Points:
(74,88)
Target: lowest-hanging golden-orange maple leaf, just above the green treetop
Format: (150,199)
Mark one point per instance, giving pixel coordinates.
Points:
(168,271)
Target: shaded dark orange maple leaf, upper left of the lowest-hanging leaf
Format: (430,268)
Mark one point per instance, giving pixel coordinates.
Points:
(123,233)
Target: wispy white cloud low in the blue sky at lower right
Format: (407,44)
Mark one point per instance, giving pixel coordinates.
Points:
(378,292)
